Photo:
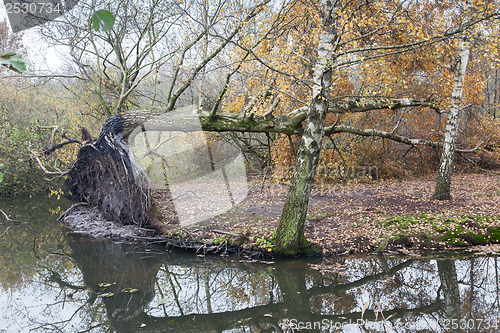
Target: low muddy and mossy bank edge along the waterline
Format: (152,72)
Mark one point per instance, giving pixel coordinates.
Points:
(85,221)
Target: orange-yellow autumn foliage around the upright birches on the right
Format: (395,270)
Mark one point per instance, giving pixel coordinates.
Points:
(368,67)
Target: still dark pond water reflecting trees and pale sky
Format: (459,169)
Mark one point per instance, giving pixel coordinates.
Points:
(55,282)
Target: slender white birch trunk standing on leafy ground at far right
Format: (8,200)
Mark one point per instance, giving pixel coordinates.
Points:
(443,181)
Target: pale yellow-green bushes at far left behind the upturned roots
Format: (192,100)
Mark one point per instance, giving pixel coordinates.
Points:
(37,117)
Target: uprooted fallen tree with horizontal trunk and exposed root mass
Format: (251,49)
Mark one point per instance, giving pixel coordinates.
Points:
(107,175)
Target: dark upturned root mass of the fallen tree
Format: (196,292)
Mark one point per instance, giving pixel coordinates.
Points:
(106,175)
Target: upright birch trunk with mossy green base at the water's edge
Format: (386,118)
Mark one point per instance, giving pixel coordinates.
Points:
(289,237)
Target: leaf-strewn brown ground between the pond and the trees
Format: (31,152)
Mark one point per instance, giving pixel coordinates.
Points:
(378,216)
